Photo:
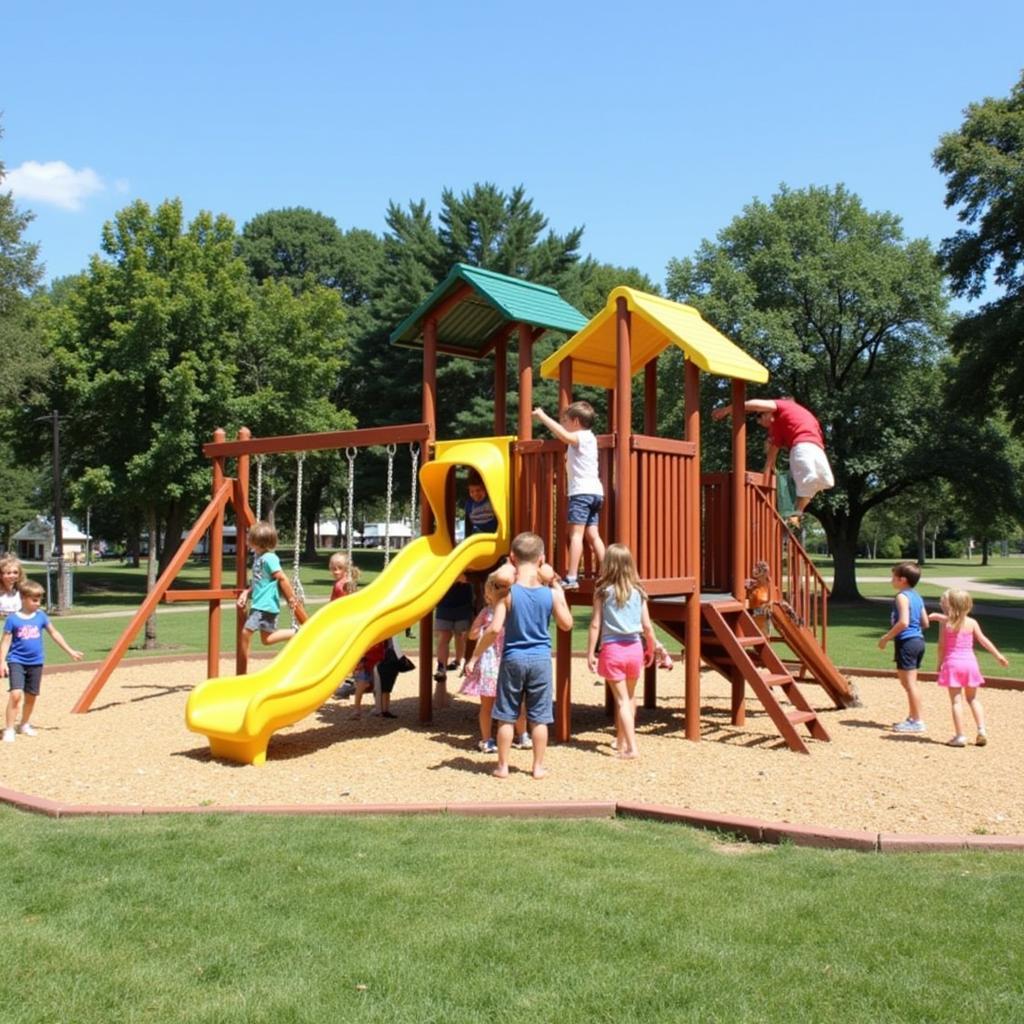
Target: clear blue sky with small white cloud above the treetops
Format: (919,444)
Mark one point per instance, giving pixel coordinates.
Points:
(652,123)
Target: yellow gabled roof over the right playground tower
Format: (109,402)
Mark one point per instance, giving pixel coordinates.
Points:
(656,324)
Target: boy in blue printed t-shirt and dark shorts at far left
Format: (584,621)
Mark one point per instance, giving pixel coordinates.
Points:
(22,658)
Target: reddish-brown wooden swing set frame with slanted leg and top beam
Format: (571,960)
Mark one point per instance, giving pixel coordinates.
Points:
(233,493)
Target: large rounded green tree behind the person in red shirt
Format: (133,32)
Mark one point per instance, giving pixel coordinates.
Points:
(848,316)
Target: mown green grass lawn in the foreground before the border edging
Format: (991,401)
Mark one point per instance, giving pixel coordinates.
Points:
(250,919)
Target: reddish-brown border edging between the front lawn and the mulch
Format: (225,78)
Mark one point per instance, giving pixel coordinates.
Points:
(752,830)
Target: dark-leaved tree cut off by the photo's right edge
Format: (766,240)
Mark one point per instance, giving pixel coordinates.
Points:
(984,163)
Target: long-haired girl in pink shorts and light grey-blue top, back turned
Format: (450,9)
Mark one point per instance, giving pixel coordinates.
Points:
(622,622)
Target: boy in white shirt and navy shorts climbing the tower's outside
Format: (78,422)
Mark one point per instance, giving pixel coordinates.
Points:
(586,493)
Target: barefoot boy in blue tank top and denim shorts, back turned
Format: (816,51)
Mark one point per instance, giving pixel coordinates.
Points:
(526,669)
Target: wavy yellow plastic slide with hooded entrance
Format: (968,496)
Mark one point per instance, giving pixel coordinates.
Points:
(240,713)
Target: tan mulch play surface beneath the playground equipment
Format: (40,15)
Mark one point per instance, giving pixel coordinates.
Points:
(134,749)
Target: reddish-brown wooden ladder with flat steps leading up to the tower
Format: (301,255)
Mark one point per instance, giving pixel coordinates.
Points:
(734,645)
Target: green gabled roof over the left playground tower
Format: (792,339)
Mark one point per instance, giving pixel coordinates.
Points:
(493,302)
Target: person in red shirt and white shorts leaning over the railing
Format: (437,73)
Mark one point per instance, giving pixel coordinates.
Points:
(793,428)
